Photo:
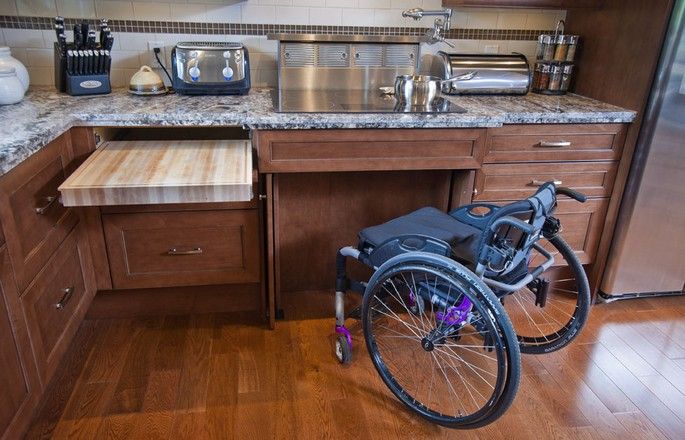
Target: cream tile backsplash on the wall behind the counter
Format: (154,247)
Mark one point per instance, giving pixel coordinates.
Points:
(32,44)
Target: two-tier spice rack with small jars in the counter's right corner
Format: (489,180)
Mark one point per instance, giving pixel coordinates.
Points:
(554,65)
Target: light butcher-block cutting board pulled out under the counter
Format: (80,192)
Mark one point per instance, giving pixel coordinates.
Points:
(157,172)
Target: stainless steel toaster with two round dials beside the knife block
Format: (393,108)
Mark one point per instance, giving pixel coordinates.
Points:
(210,68)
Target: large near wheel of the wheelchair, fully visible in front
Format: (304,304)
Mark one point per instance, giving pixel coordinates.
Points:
(455,361)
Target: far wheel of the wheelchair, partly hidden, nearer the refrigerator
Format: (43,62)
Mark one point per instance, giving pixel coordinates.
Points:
(549,312)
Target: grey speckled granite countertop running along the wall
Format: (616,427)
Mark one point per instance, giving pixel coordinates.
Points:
(44,114)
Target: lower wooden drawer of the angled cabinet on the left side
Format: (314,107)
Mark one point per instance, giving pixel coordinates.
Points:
(56,302)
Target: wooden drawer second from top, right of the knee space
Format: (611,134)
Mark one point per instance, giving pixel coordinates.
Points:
(518,181)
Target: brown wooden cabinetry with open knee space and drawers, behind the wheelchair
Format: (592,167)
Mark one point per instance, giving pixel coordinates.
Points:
(324,186)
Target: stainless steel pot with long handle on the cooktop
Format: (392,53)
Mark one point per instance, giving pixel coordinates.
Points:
(422,90)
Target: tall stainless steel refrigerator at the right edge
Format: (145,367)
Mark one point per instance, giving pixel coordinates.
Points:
(648,252)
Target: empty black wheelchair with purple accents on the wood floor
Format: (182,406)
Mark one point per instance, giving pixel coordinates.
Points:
(455,298)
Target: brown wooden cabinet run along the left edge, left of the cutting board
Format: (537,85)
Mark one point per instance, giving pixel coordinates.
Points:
(43,250)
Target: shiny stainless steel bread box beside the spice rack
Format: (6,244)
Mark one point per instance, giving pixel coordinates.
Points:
(494,74)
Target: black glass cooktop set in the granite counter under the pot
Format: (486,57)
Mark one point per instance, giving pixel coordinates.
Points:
(352,101)
